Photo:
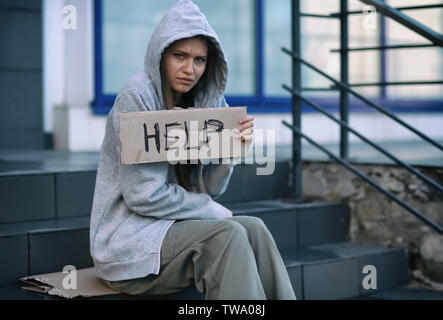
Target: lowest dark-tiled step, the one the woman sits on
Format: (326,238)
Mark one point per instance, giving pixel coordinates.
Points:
(327,272)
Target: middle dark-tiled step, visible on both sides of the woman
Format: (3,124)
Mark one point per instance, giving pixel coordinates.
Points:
(43,246)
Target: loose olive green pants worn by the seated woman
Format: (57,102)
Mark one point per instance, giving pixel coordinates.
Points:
(230,259)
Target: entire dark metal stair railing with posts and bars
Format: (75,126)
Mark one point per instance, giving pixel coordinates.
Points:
(345,91)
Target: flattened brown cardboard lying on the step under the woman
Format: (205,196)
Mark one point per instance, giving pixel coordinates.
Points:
(88,284)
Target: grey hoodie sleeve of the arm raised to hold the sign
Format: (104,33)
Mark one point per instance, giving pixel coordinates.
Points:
(216,176)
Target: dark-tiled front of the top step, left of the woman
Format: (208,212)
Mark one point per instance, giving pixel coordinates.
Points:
(48,195)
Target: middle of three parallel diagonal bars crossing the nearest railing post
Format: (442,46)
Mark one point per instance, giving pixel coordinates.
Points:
(362,137)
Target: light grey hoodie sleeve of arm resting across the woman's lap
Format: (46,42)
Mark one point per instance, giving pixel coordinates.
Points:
(145,187)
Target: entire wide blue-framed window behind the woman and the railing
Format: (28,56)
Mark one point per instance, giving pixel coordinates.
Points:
(252,36)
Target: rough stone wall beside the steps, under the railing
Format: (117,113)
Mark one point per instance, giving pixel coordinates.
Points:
(375,218)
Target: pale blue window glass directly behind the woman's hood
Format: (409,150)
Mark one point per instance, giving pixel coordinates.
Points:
(131,27)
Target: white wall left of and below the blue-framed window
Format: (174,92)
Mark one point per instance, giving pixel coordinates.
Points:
(69,90)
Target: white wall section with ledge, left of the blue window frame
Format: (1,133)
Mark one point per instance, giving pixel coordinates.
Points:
(69,78)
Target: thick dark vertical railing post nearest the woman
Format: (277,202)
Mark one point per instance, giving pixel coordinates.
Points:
(296,102)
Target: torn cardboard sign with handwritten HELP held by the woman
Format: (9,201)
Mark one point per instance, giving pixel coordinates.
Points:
(181,134)
